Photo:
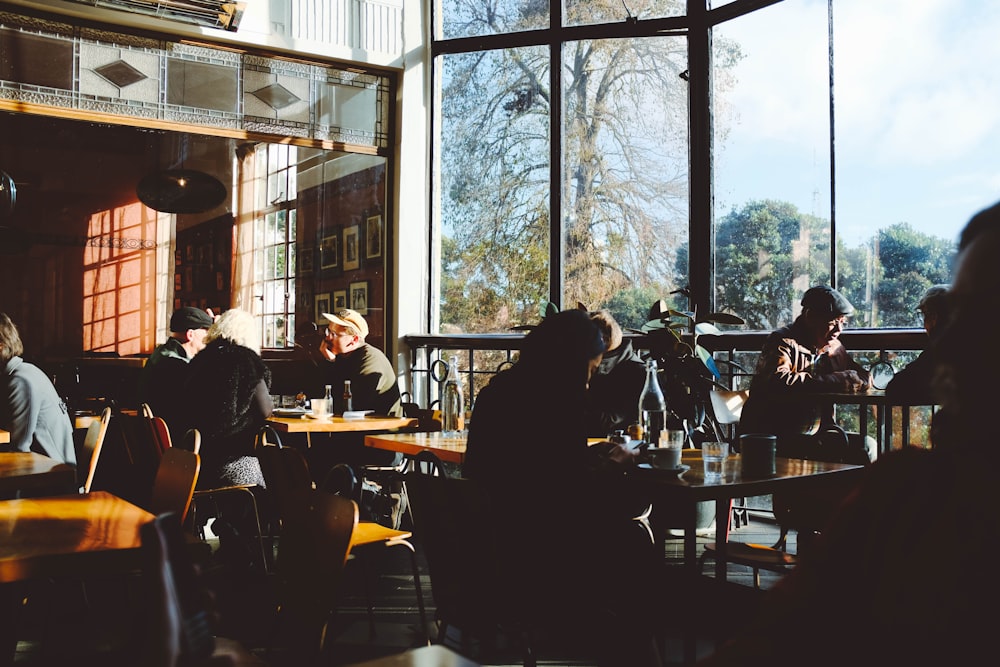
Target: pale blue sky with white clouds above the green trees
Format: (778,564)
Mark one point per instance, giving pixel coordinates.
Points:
(916,94)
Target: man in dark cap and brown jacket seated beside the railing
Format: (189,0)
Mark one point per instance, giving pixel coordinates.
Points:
(801,358)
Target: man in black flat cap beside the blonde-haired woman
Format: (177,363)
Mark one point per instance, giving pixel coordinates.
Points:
(162,380)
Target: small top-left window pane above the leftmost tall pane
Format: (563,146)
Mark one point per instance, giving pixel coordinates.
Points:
(461,18)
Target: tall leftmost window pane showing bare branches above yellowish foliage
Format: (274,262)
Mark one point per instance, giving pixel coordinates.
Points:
(494,218)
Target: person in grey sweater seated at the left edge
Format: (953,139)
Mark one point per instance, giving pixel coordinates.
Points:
(30,407)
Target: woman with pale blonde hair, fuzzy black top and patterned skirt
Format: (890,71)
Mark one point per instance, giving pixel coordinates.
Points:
(228,401)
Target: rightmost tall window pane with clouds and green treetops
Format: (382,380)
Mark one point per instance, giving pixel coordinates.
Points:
(917,140)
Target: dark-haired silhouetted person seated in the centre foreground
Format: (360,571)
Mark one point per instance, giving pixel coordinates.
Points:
(563,514)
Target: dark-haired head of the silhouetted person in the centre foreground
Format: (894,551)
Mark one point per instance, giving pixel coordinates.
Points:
(565,346)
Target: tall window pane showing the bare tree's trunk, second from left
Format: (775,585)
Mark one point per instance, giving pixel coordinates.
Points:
(625,161)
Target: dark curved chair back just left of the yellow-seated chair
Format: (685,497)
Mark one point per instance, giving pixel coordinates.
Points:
(312,551)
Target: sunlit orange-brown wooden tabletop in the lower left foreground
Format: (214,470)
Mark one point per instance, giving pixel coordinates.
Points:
(73,535)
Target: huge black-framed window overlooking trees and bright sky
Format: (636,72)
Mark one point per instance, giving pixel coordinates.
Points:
(735,156)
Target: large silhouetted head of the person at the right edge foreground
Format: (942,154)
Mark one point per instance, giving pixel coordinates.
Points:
(964,348)
